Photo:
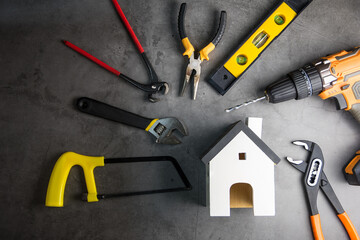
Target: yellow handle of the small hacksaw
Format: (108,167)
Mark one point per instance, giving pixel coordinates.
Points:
(59,175)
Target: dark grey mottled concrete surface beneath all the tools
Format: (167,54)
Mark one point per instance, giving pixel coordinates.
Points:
(41,79)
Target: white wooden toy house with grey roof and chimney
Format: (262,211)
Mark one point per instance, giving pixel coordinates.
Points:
(240,171)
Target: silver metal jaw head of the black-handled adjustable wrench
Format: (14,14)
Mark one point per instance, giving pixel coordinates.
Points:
(163,130)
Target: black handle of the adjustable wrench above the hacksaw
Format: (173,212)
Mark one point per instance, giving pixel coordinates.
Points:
(103,110)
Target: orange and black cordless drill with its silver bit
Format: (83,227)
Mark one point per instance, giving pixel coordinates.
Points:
(336,75)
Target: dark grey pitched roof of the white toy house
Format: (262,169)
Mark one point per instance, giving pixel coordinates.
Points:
(233,131)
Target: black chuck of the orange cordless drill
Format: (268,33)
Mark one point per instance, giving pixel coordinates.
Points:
(298,84)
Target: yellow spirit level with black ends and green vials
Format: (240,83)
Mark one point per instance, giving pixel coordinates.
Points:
(256,42)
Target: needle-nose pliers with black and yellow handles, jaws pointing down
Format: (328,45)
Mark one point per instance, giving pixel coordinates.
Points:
(193,69)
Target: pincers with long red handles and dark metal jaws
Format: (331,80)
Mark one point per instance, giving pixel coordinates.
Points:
(155,85)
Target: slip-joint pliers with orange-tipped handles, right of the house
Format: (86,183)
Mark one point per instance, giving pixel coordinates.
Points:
(315,178)
